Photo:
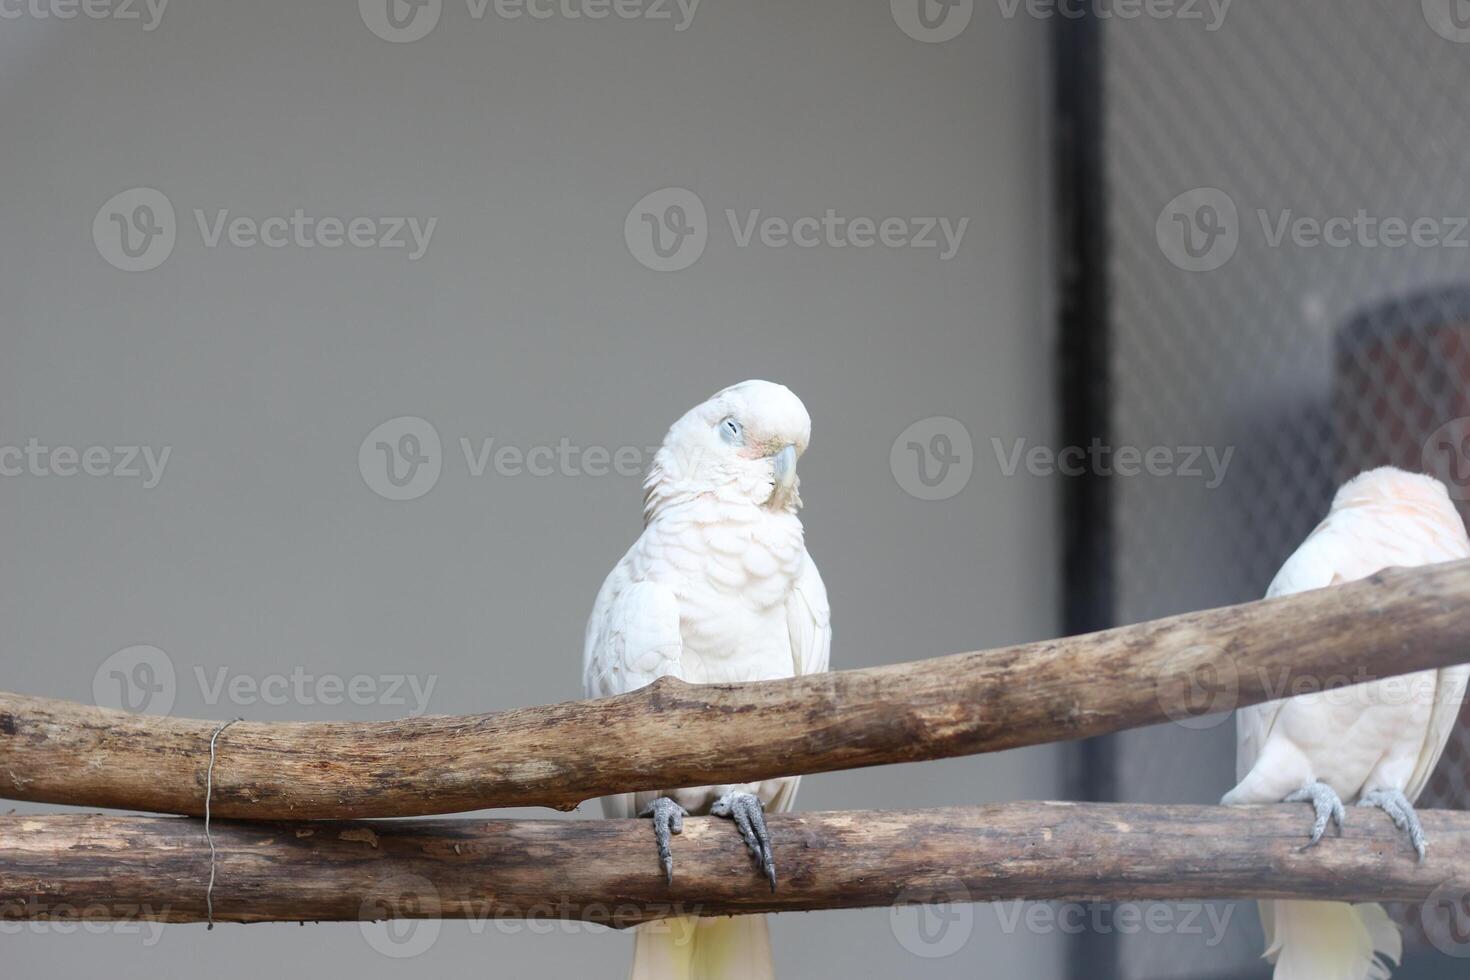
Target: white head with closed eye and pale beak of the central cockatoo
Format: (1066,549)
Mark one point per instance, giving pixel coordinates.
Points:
(742,446)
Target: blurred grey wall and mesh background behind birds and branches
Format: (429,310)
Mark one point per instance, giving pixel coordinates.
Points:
(336,336)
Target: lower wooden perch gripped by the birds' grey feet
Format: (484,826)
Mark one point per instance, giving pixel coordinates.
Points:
(104,868)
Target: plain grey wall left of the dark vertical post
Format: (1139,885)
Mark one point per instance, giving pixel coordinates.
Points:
(264,550)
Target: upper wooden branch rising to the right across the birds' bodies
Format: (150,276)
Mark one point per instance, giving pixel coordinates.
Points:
(673,734)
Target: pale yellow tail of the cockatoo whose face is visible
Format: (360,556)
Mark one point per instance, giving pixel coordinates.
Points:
(731,947)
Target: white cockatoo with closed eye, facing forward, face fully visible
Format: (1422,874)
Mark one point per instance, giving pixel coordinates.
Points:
(718,588)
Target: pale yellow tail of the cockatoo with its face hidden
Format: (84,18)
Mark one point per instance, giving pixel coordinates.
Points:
(1331,941)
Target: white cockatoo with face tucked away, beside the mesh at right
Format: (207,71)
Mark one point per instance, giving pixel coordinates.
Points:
(1375,744)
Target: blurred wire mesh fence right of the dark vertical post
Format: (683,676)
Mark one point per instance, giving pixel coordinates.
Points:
(1290,281)
